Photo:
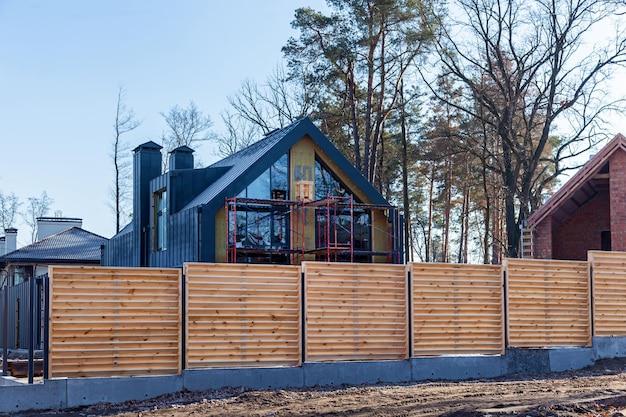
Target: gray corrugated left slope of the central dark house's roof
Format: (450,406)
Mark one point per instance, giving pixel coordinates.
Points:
(240,162)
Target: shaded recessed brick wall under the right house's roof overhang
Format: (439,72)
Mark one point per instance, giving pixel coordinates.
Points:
(581,232)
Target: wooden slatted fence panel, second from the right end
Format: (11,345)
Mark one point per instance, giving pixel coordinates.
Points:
(548,303)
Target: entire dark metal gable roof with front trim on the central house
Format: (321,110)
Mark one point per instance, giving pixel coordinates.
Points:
(250,162)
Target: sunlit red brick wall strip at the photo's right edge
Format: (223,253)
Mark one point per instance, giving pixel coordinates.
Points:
(617,186)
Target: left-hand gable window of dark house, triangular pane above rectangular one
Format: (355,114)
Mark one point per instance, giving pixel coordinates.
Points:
(260,226)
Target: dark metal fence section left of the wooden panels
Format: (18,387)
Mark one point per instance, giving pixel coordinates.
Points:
(24,321)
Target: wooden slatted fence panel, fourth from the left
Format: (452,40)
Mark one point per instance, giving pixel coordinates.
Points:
(457,309)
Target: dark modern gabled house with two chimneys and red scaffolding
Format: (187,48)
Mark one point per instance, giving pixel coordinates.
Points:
(289,197)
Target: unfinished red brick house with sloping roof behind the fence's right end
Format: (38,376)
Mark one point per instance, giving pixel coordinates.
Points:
(587,213)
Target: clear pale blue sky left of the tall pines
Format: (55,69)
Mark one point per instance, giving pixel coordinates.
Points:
(61,63)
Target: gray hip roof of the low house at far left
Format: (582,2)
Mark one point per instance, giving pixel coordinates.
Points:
(74,244)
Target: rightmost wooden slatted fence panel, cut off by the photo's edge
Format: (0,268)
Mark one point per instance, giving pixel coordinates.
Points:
(609,293)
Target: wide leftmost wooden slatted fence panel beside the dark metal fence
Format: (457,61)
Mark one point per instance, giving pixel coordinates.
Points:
(114,321)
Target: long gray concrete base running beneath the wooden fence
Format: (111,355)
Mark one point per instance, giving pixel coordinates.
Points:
(67,393)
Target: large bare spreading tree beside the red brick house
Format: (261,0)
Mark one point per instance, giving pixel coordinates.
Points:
(527,65)
